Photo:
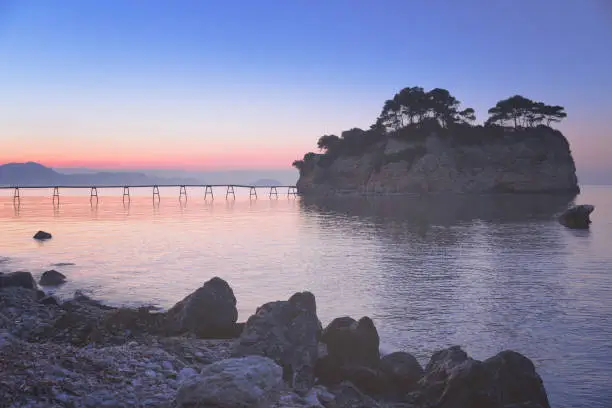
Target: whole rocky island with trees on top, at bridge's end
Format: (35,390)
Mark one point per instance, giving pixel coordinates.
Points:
(424,142)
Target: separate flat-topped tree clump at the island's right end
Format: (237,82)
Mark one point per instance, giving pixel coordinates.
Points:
(523,112)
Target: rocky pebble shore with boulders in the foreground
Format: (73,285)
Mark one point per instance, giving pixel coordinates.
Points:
(80,353)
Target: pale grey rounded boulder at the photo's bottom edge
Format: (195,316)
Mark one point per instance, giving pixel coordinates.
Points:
(251,381)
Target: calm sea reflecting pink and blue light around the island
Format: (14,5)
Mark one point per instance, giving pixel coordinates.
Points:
(487,273)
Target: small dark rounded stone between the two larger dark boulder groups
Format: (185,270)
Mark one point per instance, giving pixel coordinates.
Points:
(402,372)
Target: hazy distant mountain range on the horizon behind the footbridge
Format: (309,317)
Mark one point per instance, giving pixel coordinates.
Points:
(32,174)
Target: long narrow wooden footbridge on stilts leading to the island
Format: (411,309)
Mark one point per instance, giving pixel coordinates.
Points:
(208,190)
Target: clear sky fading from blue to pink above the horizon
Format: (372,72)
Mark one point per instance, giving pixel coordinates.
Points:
(253,84)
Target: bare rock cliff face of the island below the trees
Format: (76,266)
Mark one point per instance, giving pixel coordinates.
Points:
(527,161)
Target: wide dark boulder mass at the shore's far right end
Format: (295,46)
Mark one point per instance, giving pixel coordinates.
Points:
(454,380)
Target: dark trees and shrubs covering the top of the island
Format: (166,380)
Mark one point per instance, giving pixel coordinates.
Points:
(412,114)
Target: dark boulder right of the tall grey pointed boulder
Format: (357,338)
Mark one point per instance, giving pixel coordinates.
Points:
(352,354)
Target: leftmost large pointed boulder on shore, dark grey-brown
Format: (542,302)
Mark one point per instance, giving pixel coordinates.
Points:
(208,312)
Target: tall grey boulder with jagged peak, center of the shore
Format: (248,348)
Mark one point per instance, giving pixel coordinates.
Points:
(288,332)
